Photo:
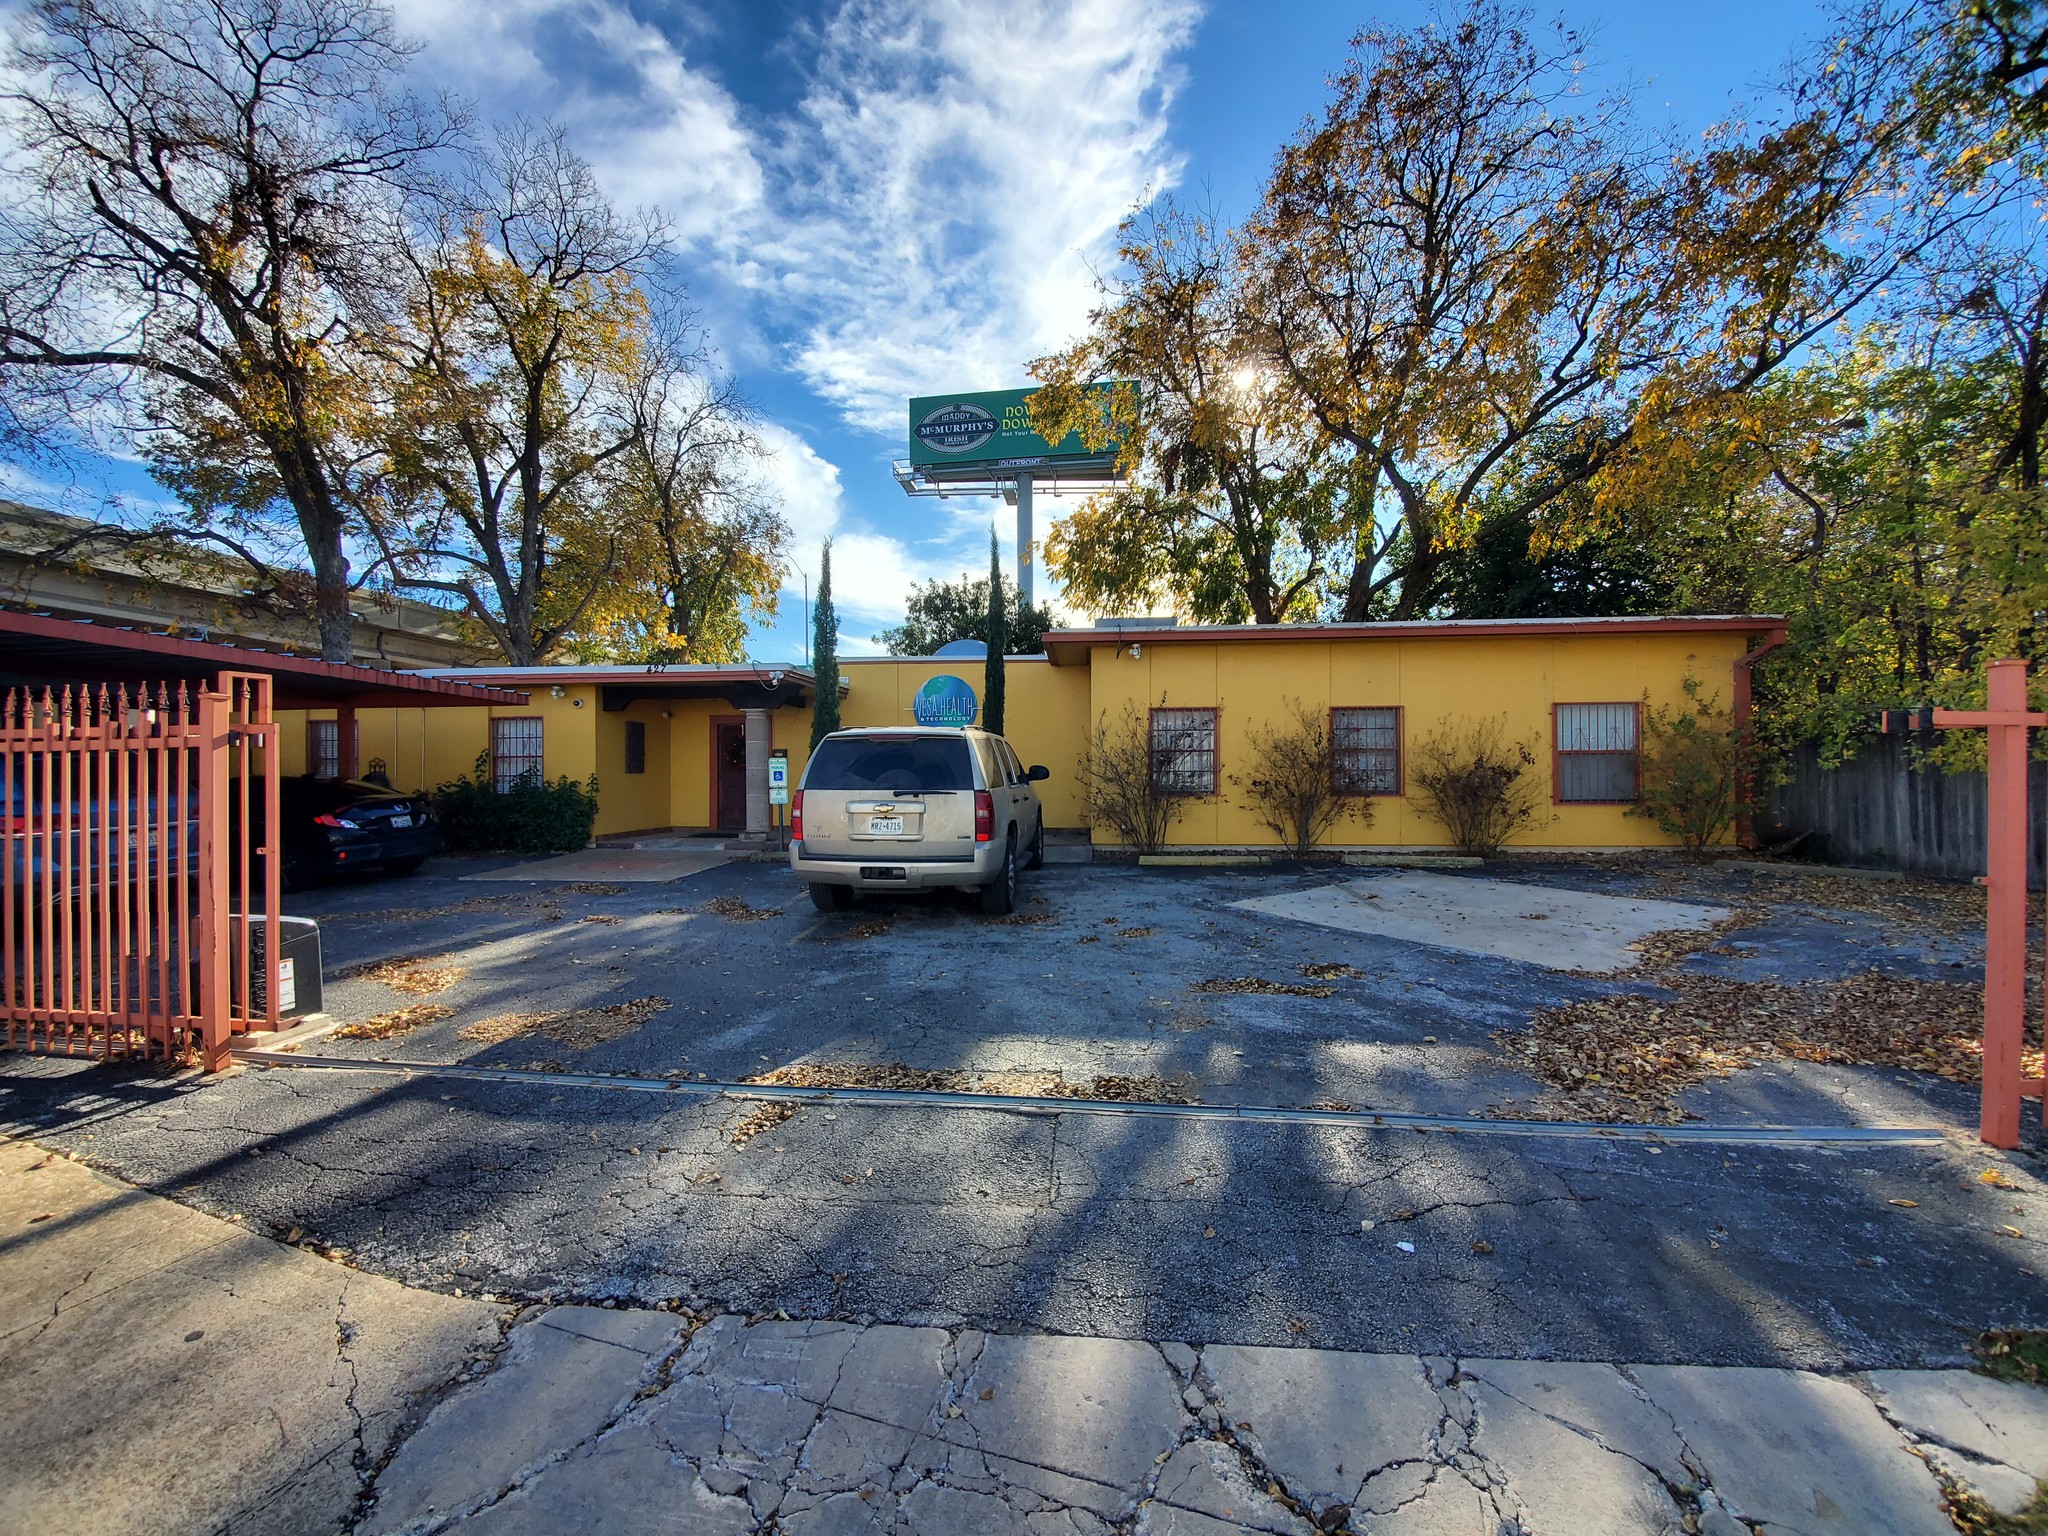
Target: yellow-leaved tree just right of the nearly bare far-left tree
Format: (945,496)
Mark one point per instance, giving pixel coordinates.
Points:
(515,380)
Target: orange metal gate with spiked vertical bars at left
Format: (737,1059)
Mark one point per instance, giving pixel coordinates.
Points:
(140,824)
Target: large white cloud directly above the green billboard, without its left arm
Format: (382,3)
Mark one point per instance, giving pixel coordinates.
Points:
(955,179)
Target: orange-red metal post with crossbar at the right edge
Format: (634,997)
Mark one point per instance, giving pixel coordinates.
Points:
(2006,724)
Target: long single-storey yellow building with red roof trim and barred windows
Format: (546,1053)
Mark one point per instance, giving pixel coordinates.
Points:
(687,746)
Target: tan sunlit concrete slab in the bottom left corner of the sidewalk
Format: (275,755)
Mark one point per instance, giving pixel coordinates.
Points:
(163,1371)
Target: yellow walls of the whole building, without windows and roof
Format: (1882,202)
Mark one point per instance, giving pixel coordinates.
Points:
(1050,712)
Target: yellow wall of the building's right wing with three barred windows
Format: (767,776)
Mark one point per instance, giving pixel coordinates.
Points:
(1431,681)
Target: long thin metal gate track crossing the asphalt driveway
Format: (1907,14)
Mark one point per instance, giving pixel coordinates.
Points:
(1031,1105)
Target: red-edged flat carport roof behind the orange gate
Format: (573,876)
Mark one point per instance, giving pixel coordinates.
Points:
(38,650)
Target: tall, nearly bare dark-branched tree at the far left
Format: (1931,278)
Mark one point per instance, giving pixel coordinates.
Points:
(191,241)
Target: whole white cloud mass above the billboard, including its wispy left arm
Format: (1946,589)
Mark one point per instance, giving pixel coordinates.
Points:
(929,216)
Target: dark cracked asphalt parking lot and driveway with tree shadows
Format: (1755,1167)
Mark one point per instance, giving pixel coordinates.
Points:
(1447,1240)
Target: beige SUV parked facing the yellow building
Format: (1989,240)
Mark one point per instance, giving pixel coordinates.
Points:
(910,810)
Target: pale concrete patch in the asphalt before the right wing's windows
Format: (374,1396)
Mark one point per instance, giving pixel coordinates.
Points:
(1543,925)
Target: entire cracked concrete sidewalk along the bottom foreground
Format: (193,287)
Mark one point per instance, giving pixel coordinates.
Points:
(163,1371)
